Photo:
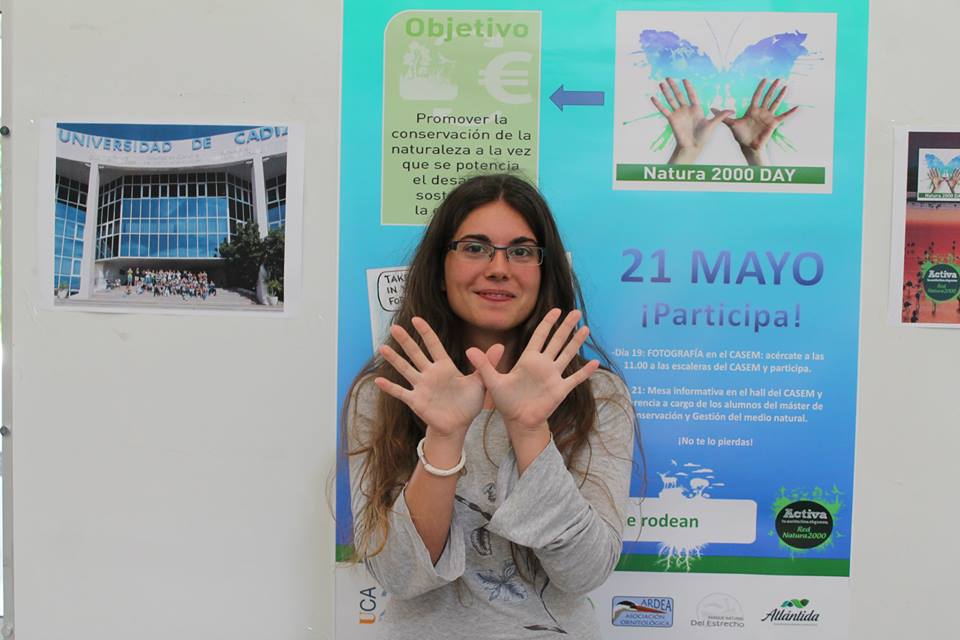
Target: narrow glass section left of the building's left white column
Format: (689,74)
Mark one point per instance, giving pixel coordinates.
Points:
(69,223)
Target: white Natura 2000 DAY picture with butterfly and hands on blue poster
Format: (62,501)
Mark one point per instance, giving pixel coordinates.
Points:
(753,115)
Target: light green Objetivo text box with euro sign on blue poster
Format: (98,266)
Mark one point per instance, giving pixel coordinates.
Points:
(460,97)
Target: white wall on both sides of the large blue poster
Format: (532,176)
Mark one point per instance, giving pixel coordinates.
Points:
(205,518)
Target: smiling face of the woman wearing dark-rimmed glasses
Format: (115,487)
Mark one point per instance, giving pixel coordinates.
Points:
(492,297)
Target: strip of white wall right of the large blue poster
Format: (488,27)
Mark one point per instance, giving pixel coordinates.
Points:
(905,567)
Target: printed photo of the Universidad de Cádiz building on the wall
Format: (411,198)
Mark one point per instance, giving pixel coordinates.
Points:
(170,218)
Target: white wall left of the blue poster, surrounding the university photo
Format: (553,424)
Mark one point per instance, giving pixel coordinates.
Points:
(202,516)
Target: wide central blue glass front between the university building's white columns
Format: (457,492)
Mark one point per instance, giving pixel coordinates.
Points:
(176,215)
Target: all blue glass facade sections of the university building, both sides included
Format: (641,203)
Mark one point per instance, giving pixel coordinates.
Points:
(148,217)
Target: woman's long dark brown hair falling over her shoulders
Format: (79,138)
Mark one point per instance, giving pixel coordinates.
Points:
(389,451)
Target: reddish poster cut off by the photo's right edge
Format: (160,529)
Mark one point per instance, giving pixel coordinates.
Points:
(925,266)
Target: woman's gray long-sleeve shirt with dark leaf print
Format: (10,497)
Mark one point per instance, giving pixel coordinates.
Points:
(574,527)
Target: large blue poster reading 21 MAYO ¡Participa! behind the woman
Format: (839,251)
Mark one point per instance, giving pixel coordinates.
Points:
(706,170)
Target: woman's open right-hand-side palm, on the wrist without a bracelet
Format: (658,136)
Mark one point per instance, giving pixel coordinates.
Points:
(530,392)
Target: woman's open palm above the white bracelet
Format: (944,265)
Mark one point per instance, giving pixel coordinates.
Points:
(445,399)
